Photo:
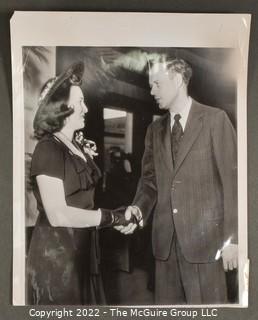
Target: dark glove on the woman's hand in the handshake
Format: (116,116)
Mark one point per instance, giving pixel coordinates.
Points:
(111,218)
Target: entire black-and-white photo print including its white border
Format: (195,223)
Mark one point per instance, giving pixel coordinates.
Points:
(130,173)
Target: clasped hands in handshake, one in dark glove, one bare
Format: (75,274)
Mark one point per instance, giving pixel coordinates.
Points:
(123,219)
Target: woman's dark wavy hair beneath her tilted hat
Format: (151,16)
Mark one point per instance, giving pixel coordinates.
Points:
(56,110)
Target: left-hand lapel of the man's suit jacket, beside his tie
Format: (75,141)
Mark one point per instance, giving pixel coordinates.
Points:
(164,141)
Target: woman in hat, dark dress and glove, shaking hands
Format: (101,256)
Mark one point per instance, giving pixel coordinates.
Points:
(62,261)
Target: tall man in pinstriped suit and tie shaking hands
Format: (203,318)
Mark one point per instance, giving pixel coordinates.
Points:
(189,183)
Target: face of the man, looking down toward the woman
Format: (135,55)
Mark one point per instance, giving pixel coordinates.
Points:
(164,85)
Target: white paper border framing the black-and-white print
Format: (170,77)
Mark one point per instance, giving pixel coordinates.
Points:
(126,29)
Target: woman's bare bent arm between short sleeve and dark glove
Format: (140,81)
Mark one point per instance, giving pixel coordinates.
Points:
(58,212)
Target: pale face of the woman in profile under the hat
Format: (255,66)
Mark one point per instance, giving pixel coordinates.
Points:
(76,101)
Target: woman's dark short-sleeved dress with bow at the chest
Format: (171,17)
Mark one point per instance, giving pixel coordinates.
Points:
(62,263)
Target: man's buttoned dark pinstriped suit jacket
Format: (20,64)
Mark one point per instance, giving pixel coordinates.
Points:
(197,197)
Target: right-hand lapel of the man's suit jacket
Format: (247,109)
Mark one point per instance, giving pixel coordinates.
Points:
(192,129)
